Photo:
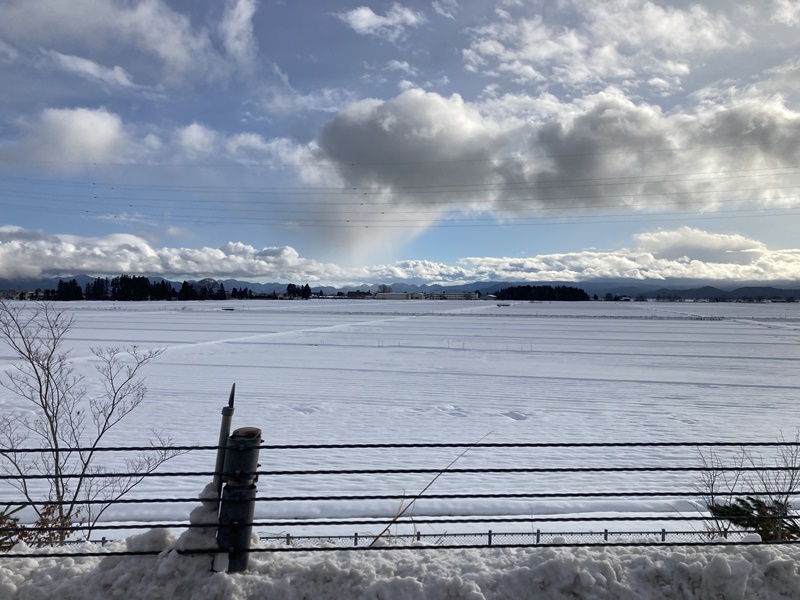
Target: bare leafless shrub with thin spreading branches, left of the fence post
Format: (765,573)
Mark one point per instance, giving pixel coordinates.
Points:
(66,424)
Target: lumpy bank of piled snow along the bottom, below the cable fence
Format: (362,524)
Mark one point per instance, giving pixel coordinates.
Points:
(729,573)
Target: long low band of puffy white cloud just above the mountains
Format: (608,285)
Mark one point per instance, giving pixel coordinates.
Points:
(682,254)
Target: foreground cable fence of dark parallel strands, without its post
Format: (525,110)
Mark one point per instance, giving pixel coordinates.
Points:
(653,472)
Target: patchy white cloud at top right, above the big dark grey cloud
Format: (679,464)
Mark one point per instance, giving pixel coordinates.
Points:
(602,42)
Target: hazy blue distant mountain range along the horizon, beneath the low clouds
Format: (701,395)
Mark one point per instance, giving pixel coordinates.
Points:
(675,289)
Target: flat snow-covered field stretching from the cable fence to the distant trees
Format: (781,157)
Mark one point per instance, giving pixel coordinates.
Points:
(360,371)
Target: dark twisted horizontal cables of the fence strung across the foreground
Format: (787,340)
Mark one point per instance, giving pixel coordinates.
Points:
(400,530)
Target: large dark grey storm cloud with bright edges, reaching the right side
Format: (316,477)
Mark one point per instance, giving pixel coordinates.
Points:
(434,155)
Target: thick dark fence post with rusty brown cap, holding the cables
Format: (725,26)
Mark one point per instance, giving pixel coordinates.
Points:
(238,496)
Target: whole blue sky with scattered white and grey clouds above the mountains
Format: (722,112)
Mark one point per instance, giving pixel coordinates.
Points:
(444,141)
